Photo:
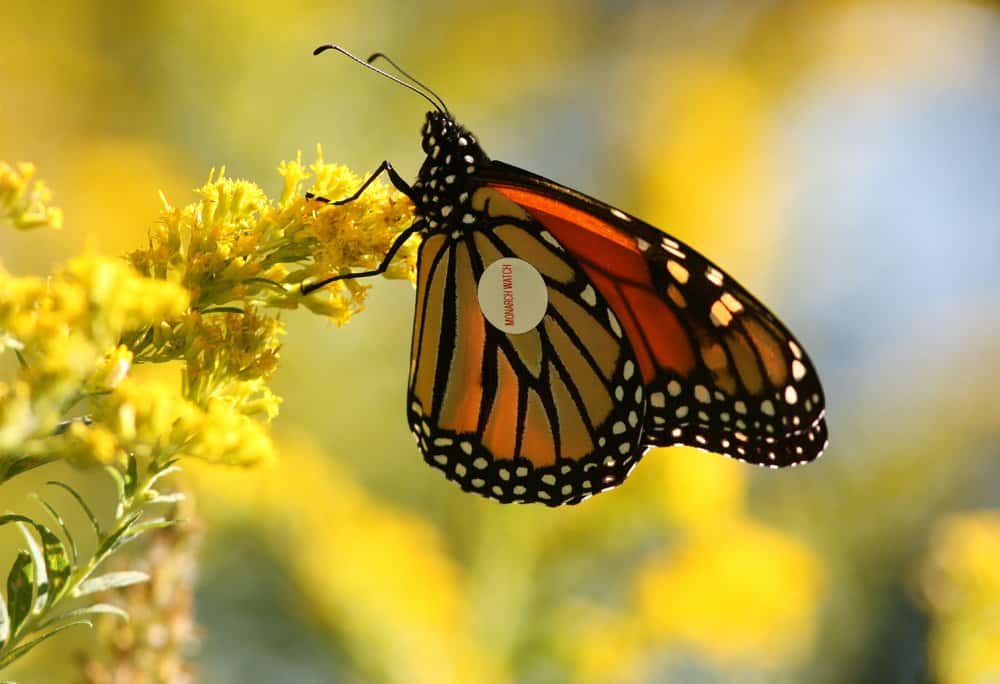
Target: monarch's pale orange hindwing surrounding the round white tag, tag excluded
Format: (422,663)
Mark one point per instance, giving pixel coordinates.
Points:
(552,415)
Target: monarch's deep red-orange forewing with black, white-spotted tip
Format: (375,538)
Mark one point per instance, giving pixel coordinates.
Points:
(721,372)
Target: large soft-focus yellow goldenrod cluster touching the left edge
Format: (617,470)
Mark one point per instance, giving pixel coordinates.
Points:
(64,331)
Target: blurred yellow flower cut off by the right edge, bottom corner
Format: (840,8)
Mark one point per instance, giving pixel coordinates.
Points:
(960,585)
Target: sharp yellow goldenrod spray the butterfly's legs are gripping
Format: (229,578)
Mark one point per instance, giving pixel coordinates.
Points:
(235,245)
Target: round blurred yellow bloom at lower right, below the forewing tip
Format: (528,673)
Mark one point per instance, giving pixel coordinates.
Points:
(739,593)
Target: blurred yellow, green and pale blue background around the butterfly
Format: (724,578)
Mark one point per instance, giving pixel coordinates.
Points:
(840,158)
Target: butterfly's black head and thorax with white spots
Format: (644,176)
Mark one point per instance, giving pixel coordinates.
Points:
(445,183)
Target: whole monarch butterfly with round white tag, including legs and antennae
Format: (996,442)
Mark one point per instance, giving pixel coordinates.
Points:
(597,338)
